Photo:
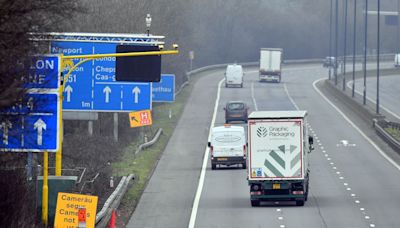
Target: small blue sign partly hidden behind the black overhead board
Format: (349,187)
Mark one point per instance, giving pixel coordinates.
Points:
(164,91)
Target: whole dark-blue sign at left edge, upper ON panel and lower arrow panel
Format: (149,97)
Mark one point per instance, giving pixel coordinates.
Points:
(32,124)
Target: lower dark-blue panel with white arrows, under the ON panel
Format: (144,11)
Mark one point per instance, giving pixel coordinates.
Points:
(32,125)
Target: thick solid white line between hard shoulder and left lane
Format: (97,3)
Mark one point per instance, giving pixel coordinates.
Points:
(196,202)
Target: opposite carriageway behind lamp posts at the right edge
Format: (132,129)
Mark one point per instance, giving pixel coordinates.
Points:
(389,92)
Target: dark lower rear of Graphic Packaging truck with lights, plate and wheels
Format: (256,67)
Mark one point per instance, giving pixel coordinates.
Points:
(279,191)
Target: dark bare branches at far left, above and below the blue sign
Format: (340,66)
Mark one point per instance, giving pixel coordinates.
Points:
(18,19)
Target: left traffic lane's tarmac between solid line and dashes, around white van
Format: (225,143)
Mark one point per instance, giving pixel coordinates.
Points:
(225,199)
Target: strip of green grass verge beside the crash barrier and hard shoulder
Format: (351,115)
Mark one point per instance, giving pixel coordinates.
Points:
(144,163)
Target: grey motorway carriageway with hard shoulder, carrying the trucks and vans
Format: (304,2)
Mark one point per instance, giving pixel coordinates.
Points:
(352,184)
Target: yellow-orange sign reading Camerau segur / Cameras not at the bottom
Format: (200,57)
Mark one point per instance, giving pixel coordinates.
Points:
(70,207)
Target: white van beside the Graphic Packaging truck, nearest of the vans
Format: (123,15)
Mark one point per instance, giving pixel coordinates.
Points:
(228,146)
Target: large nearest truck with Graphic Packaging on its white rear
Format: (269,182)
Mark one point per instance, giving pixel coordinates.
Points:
(278,149)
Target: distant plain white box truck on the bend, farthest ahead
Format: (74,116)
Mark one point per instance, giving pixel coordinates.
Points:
(270,64)
